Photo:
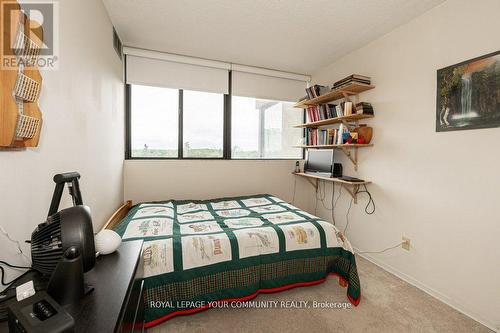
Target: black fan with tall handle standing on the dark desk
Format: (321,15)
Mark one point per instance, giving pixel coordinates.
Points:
(63,246)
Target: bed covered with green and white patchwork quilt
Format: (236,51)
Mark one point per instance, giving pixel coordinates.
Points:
(200,253)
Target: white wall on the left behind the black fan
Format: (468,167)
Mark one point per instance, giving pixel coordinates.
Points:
(82,105)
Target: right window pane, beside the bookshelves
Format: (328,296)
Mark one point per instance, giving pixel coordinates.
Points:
(264,129)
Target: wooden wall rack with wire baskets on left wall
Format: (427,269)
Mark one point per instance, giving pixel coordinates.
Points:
(20,83)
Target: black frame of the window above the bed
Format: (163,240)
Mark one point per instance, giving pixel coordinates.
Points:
(226,133)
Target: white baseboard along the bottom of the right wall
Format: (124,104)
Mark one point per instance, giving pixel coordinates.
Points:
(430,291)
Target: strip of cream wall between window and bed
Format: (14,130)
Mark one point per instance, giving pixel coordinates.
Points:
(206,179)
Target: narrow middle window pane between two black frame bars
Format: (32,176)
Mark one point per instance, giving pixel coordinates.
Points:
(203,124)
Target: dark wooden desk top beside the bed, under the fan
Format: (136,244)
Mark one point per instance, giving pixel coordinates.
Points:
(116,304)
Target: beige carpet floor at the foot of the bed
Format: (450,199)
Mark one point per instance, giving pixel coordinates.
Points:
(388,304)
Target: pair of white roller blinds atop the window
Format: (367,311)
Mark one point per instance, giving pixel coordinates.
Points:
(153,68)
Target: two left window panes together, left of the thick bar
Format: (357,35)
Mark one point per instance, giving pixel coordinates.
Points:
(154,123)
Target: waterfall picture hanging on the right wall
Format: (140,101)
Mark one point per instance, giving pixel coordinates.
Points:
(468,94)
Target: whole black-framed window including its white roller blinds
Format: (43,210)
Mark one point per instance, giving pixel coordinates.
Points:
(215,110)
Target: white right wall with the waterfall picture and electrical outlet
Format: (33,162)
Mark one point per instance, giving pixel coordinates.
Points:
(442,190)
